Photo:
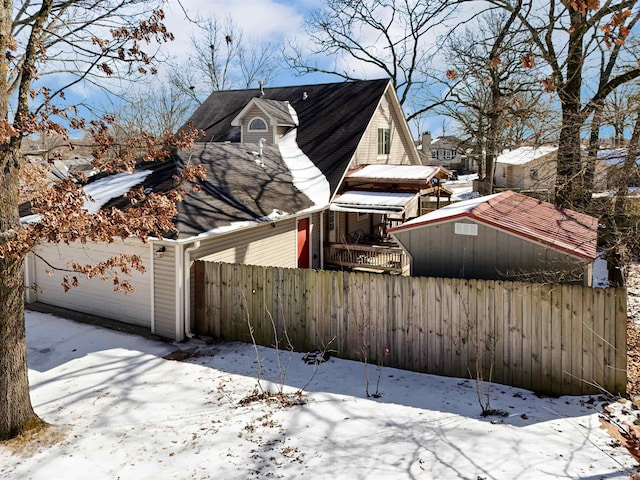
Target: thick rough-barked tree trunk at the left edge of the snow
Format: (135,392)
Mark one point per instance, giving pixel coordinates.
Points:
(16,412)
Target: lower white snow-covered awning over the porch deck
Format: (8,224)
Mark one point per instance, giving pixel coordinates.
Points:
(391,204)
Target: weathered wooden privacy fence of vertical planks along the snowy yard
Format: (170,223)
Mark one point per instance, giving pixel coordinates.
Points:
(556,339)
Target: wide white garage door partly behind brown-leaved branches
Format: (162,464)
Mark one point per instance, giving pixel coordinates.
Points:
(94,296)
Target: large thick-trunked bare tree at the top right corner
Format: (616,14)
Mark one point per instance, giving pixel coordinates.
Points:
(566,37)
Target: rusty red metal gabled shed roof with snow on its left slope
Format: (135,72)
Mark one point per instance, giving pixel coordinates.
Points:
(563,229)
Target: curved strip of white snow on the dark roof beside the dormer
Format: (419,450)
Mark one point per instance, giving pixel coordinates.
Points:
(306,176)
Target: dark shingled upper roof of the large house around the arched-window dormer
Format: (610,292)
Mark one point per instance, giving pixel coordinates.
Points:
(332,119)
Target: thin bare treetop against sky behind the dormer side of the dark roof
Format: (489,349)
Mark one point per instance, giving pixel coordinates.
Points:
(222,58)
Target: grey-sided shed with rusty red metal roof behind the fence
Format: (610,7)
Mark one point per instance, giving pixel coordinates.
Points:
(505,236)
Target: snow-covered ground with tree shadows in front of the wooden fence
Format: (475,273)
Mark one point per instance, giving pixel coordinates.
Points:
(126,412)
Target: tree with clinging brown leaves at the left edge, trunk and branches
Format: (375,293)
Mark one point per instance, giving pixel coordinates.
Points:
(81,40)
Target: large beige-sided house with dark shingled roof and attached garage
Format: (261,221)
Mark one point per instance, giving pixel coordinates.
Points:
(275,159)
